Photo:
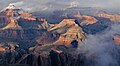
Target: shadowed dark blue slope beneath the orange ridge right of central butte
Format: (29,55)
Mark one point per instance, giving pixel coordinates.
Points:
(99,26)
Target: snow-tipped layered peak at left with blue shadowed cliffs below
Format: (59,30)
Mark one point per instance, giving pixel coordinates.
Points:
(16,24)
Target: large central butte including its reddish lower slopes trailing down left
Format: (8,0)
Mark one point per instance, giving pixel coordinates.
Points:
(61,34)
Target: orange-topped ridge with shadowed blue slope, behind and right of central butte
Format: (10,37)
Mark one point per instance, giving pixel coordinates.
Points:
(92,24)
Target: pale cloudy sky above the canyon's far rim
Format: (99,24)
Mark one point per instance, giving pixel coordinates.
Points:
(42,5)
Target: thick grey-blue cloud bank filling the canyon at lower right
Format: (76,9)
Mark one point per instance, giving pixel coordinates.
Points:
(102,47)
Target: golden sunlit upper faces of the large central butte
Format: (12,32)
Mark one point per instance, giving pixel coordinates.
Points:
(68,31)
